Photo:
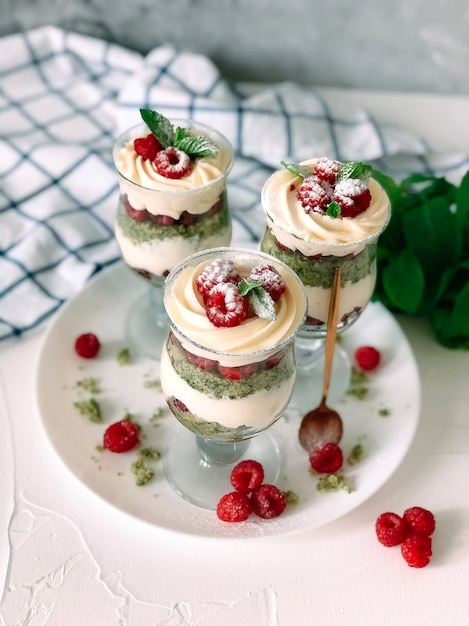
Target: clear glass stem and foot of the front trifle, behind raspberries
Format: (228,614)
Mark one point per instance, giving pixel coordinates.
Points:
(202,482)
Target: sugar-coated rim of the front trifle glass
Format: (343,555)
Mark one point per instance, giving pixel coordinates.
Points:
(212,253)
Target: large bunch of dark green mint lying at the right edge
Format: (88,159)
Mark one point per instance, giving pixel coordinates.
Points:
(423,254)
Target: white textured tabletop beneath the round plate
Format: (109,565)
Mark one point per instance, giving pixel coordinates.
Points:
(68,558)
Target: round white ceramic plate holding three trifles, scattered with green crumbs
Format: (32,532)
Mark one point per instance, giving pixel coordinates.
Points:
(101,307)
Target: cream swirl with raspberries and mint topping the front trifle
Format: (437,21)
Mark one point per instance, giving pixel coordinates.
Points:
(188,307)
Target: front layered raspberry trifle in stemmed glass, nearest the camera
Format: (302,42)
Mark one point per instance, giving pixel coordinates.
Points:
(228,368)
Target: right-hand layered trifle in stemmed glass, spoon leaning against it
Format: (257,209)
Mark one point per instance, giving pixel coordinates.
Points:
(322,214)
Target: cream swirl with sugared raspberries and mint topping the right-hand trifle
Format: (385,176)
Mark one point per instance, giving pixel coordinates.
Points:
(309,213)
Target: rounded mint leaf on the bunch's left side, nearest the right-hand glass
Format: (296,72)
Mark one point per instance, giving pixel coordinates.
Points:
(404,282)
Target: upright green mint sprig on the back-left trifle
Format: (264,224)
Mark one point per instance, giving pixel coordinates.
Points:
(194,145)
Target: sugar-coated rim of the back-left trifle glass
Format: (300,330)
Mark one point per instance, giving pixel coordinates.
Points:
(138,129)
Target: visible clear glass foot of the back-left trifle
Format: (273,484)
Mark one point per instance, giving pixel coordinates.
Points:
(147,324)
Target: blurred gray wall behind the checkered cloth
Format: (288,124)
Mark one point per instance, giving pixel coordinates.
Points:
(405,45)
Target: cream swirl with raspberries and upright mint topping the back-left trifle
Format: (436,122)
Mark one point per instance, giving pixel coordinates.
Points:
(187,162)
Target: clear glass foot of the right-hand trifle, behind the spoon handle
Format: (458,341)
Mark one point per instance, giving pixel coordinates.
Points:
(307,392)
